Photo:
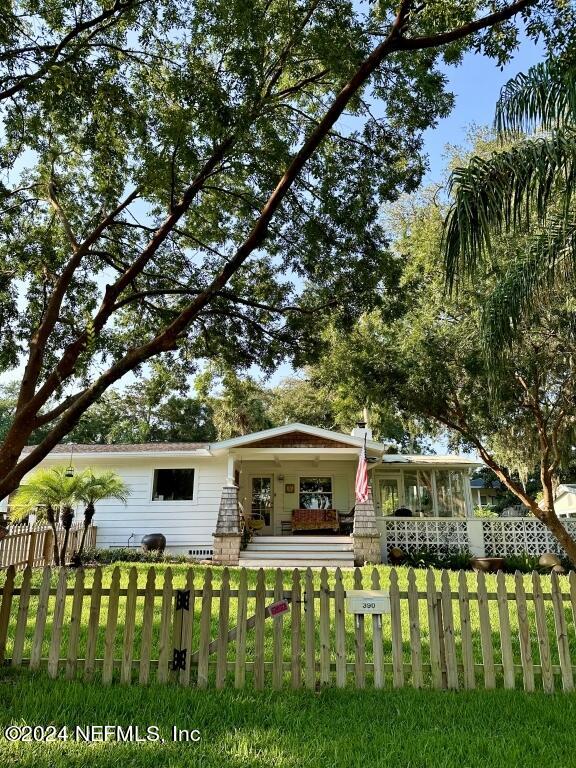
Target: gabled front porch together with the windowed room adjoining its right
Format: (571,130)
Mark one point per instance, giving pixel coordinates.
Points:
(298,482)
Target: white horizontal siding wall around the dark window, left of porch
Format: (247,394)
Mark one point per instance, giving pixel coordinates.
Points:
(186,524)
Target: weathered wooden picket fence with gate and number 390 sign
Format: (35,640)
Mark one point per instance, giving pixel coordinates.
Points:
(250,628)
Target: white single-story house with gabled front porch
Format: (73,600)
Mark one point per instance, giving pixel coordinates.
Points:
(298,479)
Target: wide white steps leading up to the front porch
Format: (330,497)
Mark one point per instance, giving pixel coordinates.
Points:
(298,552)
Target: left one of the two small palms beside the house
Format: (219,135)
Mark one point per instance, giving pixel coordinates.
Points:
(52,494)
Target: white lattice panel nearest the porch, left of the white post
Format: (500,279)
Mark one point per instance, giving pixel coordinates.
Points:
(413,535)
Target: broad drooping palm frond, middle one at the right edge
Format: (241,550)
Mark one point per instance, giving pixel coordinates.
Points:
(505,193)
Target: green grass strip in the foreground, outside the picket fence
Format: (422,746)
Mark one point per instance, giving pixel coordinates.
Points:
(345,728)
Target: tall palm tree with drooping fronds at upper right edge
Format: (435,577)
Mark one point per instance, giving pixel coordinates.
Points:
(526,190)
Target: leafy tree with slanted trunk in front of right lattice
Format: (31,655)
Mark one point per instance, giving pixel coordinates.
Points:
(431,366)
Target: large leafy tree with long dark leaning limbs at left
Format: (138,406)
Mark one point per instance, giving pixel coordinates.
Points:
(179,181)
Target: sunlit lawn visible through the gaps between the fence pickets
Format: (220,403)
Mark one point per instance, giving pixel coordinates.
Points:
(179,577)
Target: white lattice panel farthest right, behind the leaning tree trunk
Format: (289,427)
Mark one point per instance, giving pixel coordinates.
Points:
(521,536)
